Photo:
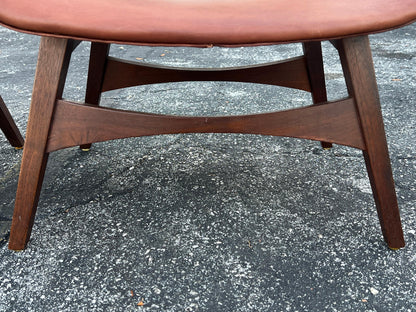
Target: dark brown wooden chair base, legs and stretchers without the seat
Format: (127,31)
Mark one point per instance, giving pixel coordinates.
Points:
(55,123)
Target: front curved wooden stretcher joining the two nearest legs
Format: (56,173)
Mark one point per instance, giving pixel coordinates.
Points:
(75,124)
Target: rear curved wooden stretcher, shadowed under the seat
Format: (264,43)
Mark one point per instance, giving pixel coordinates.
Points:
(289,73)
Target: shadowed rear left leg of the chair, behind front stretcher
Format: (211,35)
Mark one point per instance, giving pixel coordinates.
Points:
(96,71)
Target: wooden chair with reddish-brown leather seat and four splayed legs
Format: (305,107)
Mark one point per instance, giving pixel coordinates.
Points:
(354,121)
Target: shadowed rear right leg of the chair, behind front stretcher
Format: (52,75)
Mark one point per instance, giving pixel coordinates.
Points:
(316,74)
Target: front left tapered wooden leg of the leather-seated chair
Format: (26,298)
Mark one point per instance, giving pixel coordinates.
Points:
(53,61)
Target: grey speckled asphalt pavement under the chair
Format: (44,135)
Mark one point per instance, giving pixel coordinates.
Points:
(211,222)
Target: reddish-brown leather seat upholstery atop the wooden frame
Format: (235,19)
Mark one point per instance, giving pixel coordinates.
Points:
(205,22)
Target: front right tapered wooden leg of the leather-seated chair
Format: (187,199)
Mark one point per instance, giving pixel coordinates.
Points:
(359,73)
